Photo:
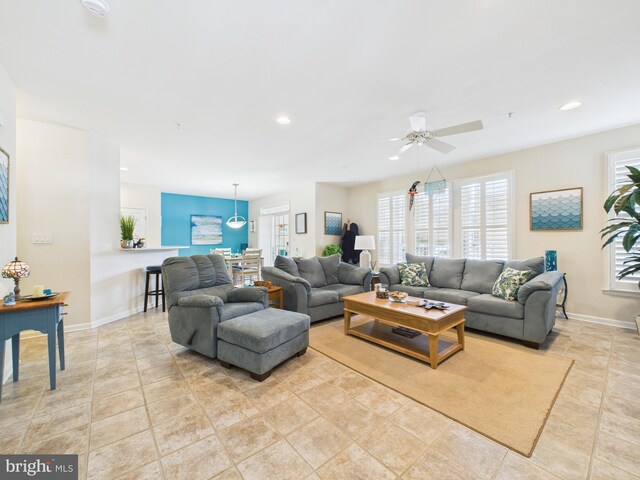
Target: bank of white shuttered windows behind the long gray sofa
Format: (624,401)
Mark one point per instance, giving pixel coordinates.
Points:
(471,218)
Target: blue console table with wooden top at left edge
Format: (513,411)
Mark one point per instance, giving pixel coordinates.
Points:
(44,316)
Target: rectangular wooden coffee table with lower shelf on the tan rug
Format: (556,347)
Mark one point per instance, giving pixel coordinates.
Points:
(429,347)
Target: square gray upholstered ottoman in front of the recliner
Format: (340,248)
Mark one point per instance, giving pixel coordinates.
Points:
(262,340)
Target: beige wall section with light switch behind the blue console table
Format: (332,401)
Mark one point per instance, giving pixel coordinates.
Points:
(53,198)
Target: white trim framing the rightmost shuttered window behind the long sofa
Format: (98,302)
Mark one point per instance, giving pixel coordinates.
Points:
(457,217)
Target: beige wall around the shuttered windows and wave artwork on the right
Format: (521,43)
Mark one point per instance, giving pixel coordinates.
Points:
(573,163)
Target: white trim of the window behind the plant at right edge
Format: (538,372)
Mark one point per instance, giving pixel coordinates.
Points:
(612,285)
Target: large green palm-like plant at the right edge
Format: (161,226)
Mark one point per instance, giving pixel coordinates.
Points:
(625,202)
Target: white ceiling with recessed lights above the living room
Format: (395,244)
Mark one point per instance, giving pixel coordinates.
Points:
(348,73)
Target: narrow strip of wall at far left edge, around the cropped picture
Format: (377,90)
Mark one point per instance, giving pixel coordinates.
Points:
(8,231)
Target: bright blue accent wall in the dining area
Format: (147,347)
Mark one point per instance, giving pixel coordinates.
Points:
(176,211)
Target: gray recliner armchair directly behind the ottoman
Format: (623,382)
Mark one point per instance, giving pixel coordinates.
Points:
(200,295)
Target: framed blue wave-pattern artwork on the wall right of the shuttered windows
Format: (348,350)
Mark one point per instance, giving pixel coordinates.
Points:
(556,209)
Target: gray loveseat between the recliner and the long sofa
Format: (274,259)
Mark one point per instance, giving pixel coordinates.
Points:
(316,285)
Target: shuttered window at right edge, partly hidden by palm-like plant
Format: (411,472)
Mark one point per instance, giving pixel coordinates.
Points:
(617,175)
